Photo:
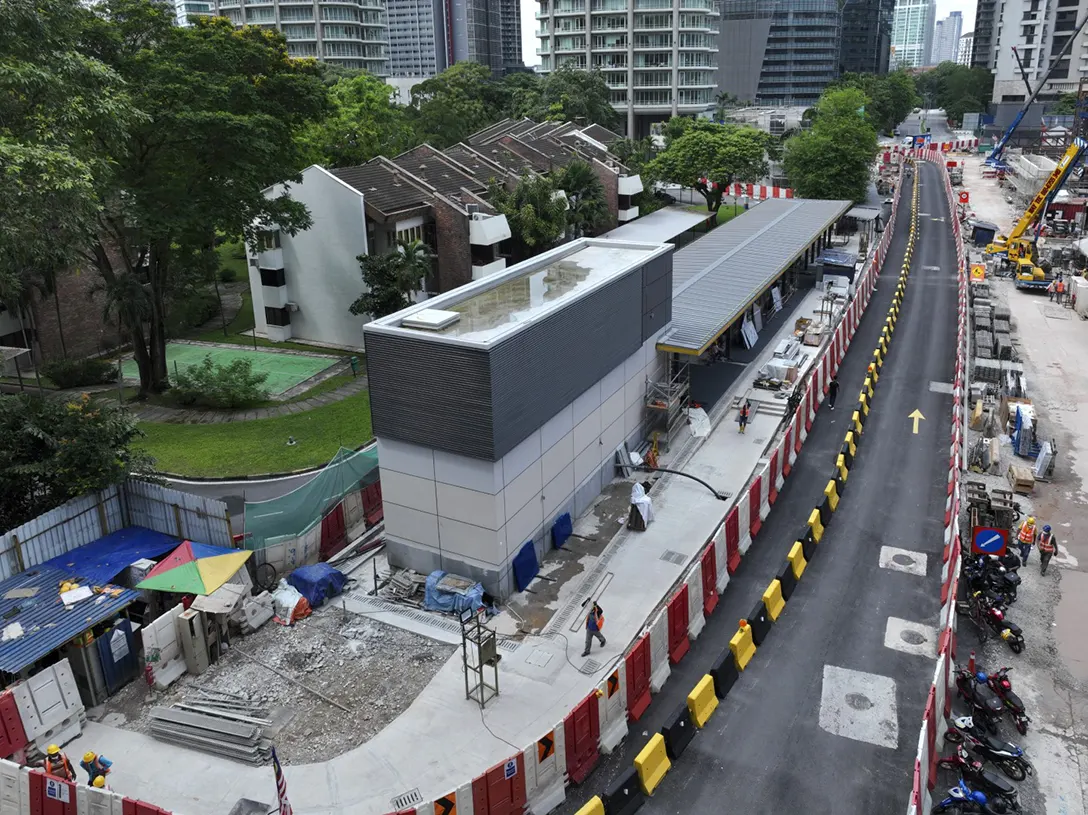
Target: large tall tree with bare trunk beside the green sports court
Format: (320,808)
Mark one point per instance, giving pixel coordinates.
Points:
(220,109)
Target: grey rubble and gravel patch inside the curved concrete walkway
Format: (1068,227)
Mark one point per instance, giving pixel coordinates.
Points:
(374,670)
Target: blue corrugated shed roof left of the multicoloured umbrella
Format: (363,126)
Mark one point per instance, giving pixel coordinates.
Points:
(46,623)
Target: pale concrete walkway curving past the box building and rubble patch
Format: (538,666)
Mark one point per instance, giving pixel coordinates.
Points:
(543,678)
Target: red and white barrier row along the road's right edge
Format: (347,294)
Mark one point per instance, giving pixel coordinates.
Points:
(938,706)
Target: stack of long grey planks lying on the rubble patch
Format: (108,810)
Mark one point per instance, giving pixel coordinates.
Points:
(232,728)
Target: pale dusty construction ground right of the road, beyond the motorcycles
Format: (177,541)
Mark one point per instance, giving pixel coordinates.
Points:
(1053,674)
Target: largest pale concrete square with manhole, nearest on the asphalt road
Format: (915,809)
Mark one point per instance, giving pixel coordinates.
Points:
(860,707)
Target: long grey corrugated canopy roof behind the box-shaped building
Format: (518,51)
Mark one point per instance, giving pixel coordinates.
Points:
(719,277)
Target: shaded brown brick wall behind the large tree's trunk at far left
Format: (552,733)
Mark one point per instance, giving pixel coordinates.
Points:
(86,331)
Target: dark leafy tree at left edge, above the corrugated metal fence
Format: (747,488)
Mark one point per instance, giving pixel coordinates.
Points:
(56,452)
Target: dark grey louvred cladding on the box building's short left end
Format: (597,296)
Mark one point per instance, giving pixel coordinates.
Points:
(431,394)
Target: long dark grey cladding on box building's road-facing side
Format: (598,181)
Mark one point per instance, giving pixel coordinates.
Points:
(541,371)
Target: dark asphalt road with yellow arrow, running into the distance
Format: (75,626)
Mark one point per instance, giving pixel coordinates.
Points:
(826,718)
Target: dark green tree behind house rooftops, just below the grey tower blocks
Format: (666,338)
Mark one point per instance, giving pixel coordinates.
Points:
(451,107)
